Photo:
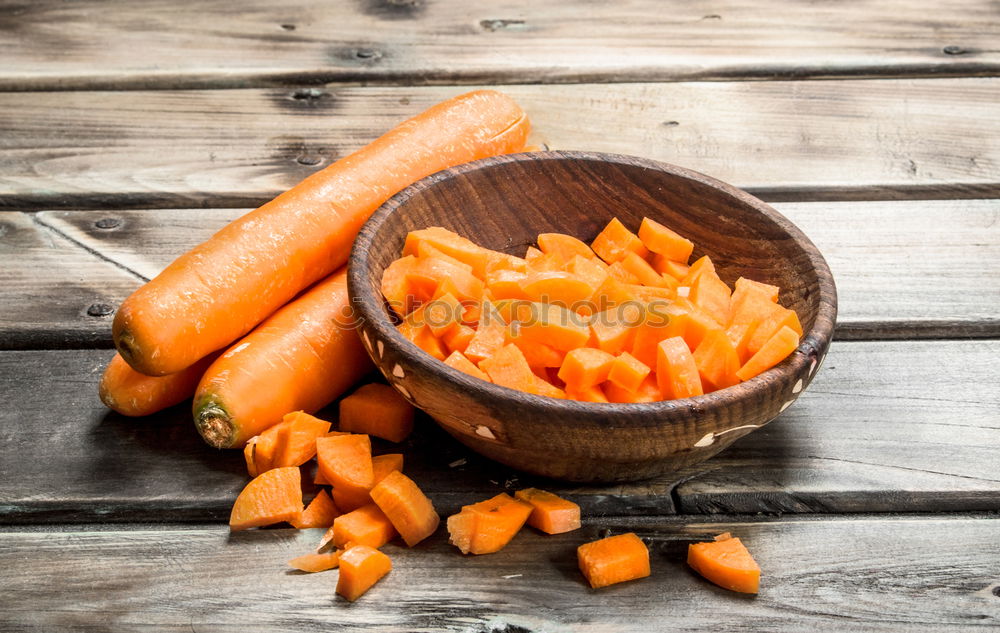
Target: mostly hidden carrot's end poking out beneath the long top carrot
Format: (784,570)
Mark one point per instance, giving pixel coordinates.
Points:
(133,394)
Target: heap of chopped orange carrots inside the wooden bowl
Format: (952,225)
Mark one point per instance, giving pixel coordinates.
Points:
(623,319)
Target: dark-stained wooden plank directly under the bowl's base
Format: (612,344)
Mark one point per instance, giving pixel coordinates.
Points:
(886,426)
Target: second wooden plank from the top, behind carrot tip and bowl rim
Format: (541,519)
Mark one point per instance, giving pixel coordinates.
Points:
(782,140)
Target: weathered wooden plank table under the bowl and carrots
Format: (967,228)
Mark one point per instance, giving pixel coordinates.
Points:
(129,133)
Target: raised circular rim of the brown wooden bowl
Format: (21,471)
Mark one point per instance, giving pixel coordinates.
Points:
(370,308)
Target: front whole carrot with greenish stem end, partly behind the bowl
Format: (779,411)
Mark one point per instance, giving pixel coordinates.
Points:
(299,359)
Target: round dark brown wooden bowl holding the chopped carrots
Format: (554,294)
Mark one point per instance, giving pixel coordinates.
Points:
(503,203)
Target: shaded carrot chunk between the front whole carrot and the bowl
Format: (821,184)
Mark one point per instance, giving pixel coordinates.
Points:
(378,410)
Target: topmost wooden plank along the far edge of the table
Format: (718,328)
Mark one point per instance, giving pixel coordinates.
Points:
(48,44)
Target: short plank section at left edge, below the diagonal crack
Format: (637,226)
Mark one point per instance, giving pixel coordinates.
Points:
(54,293)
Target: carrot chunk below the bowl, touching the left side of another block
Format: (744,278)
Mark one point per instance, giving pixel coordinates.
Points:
(488,526)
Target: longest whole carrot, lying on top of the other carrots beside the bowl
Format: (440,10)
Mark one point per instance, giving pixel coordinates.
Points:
(221,289)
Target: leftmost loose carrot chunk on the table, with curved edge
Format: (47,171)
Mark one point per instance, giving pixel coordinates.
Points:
(272,497)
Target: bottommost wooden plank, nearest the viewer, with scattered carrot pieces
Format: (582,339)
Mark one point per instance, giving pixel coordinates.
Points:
(844,574)
